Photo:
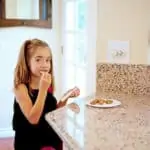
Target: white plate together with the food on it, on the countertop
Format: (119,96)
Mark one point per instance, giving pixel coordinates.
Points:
(103,103)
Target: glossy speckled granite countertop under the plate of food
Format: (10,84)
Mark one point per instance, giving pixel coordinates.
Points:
(126,127)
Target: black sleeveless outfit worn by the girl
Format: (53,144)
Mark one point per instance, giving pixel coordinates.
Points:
(29,136)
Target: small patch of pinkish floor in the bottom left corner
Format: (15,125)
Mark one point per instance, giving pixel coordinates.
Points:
(6,143)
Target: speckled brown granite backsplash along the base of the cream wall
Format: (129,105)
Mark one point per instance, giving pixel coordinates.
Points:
(124,78)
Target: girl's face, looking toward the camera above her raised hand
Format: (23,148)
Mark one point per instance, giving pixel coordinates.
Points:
(40,61)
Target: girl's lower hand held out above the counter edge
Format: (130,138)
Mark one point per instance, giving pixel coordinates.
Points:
(75,92)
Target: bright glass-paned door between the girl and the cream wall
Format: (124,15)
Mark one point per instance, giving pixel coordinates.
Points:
(75,44)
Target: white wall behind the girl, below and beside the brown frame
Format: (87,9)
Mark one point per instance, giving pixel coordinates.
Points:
(10,42)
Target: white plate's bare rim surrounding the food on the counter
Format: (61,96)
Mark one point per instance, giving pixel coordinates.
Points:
(114,104)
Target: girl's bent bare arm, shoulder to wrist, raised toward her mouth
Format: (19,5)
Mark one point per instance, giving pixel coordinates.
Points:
(31,112)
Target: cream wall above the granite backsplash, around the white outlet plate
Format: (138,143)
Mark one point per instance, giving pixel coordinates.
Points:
(124,20)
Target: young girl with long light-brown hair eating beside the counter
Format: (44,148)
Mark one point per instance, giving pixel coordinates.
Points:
(33,89)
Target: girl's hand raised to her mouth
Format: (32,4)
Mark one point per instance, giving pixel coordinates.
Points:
(45,81)
